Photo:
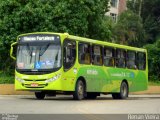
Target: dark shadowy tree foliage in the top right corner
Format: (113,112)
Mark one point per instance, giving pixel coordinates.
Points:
(151,18)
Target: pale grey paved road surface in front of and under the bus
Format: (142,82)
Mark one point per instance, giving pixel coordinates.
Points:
(66,105)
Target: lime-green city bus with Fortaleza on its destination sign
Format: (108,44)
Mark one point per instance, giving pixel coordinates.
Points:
(58,63)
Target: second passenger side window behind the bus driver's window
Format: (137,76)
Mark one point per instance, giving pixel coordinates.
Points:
(97,55)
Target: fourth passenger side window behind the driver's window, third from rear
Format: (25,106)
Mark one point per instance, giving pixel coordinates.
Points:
(120,58)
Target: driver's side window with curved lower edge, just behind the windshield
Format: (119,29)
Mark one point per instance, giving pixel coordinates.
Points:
(69,51)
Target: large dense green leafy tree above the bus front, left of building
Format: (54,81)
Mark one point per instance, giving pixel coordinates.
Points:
(78,17)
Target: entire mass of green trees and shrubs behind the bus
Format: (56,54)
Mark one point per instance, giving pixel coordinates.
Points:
(138,26)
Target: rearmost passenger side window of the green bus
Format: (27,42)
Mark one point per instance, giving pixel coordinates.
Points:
(141,61)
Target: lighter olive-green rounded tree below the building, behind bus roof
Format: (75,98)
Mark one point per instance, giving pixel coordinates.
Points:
(129,29)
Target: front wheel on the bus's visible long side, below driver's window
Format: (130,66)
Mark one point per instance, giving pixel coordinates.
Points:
(79,90)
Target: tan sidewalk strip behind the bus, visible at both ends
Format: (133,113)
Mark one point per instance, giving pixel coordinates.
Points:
(8,89)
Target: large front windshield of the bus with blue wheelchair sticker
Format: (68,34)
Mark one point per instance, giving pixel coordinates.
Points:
(38,57)
